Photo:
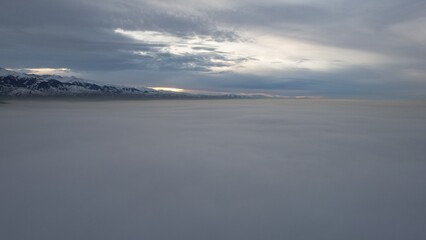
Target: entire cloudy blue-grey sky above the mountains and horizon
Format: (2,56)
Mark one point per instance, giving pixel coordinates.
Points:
(306,47)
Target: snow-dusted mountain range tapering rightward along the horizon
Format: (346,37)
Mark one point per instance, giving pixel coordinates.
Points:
(16,84)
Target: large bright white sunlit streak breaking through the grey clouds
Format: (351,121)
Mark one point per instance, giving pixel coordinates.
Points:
(261,54)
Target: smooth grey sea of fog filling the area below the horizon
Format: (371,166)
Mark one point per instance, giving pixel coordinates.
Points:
(224,169)
